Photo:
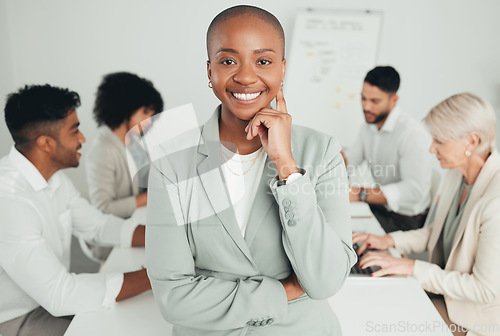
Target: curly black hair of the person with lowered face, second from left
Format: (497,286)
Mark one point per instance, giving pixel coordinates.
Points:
(120,94)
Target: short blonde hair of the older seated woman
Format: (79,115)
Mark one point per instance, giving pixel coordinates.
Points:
(461,114)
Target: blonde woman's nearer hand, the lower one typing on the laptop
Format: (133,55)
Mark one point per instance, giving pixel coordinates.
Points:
(388,264)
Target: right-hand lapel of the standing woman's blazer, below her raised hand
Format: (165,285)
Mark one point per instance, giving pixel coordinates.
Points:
(263,202)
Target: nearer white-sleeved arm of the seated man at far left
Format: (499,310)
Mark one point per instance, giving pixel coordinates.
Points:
(28,257)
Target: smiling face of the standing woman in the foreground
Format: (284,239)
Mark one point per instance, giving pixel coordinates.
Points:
(246,76)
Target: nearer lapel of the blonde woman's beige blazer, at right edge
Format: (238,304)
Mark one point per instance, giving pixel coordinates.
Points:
(477,192)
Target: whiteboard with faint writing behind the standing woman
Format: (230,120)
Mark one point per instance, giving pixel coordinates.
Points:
(330,54)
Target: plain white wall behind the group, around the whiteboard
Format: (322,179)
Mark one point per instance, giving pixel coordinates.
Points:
(440,47)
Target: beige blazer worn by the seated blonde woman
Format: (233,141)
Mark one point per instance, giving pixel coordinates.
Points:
(470,280)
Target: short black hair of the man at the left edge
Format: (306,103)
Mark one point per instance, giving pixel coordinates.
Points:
(35,110)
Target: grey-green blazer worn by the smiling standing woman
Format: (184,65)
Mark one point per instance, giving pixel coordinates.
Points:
(209,280)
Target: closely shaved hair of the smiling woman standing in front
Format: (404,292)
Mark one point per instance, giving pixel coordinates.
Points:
(246,11)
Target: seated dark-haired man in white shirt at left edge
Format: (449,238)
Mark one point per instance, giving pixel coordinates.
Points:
(40,210)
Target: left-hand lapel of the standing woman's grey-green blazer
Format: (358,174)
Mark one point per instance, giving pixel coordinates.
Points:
(212,178)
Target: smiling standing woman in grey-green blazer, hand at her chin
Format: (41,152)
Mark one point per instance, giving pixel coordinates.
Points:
(282,246)
